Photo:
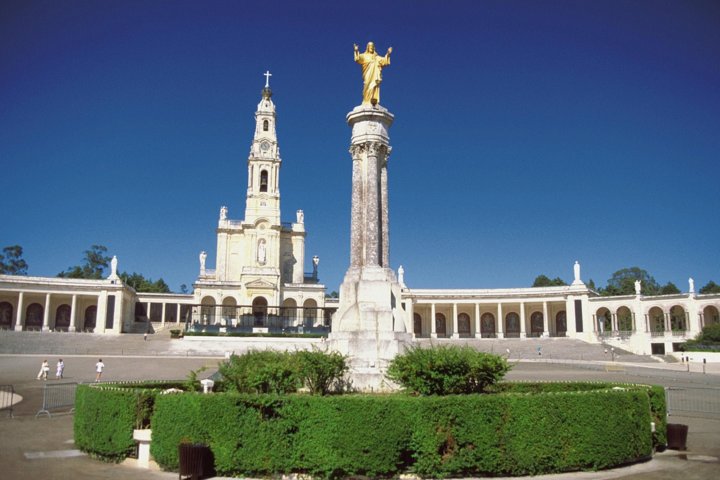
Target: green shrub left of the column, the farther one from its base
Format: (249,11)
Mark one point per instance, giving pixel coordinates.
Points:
(261,371)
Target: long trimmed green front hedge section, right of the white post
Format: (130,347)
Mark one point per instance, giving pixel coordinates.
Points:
(384,435)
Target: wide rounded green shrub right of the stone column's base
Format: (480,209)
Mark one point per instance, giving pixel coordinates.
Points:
(446,370)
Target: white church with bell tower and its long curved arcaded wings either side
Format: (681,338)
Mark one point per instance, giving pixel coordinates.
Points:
(258,285)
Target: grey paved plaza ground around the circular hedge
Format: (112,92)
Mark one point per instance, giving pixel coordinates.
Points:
(43,448)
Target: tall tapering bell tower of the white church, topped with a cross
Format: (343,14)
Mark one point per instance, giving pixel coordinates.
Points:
(263,193)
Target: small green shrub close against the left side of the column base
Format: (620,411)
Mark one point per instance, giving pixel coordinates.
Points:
(320,372)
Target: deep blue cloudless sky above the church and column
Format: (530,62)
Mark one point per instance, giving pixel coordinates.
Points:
(527,135)
